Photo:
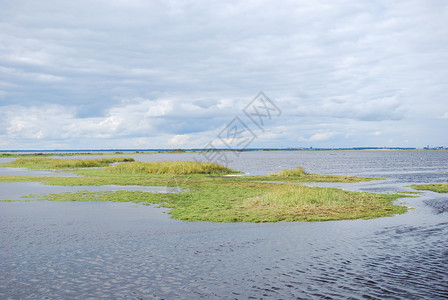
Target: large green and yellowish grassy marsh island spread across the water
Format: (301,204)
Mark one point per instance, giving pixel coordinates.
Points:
(212,192)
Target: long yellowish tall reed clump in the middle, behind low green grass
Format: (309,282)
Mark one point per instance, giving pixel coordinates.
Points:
(170,167)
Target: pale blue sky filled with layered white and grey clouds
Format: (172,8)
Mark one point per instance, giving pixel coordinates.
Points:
(136,74)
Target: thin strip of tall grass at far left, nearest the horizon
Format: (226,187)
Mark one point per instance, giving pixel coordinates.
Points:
(53,163)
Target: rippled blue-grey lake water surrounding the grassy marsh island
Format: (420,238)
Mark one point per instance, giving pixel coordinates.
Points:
(53,250)
